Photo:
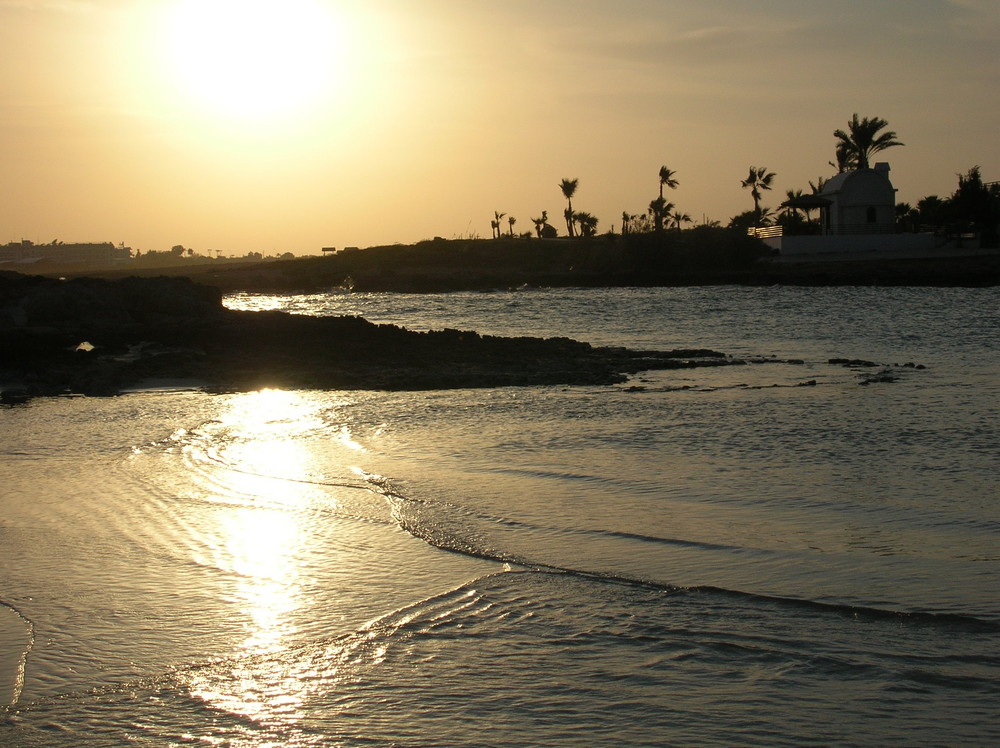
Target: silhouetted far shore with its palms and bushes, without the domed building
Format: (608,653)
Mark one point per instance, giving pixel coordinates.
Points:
(657,246)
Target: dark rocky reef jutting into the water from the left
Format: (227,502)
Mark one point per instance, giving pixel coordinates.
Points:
(99,337)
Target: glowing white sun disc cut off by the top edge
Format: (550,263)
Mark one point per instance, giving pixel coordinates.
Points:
(255,59)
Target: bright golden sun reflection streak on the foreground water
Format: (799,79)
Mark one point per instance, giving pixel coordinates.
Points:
(265,543)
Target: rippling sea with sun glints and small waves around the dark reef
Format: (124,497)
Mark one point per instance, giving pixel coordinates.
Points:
(799,549)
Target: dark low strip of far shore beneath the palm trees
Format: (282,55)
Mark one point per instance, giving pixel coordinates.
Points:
(718,257)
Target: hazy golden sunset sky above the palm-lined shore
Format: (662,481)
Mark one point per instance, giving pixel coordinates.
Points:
(273,126)
